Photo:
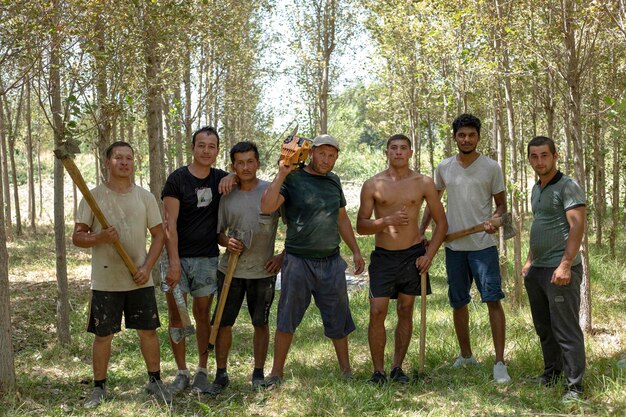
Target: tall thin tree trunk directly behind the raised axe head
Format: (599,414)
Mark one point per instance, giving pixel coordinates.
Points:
(63,305)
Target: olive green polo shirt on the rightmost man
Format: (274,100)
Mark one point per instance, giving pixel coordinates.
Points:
(550,229)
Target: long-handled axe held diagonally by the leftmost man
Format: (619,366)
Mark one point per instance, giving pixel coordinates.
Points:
(65,153)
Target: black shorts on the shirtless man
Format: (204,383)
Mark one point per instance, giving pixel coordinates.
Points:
(394,271)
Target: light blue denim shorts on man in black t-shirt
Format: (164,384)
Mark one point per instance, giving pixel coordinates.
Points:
(198,276)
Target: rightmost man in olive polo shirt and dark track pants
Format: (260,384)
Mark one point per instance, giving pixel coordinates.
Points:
(553,269)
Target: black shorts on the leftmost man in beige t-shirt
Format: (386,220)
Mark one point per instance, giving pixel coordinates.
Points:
(138,306)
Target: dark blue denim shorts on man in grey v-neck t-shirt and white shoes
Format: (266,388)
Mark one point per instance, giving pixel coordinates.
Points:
(481,266)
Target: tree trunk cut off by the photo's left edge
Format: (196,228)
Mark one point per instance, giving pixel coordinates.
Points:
(7,363)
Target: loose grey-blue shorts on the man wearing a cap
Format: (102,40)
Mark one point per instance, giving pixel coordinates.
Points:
(325,280)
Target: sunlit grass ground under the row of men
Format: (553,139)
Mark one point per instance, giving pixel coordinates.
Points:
(53,380)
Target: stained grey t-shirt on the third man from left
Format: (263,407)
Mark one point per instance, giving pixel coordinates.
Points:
(240,210)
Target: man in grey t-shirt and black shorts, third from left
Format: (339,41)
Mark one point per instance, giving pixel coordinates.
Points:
(255,274)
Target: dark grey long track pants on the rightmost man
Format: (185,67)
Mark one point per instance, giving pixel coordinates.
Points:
(555,310)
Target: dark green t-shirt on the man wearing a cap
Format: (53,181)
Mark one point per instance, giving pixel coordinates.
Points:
(311,211)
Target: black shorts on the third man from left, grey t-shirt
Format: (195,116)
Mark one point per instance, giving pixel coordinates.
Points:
(259,294)
